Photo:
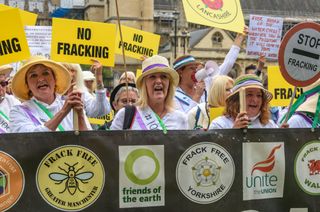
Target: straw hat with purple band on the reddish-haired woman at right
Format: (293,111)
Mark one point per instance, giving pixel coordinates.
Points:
(249,81)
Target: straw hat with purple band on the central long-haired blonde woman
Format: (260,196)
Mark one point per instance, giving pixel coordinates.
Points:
(157,64)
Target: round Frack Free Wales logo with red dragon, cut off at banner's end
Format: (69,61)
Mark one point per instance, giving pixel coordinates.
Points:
(307,168)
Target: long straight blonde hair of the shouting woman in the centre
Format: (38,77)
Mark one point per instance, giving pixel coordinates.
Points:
(169,101)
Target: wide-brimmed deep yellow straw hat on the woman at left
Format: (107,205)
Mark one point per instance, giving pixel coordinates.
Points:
(19,84)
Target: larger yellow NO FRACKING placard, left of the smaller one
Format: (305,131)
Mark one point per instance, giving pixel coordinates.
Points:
(78,41)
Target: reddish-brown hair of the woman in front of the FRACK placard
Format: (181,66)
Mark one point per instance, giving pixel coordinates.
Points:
(233,108)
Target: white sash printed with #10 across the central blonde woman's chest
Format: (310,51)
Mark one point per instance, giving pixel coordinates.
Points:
(146,120)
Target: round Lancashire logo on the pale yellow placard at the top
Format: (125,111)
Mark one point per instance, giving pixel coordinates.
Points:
(216,11)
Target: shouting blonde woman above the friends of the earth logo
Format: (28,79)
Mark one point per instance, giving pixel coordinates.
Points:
(155,109)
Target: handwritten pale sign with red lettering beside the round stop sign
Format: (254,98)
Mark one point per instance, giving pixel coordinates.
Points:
(264,36)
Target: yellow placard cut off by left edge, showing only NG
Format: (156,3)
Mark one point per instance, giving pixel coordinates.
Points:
(13,41)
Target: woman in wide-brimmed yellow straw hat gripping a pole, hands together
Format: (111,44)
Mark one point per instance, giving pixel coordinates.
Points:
(40,84)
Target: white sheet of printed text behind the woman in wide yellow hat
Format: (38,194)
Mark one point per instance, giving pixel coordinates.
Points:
(39,40)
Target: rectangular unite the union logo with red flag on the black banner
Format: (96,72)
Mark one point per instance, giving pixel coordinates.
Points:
(263,170)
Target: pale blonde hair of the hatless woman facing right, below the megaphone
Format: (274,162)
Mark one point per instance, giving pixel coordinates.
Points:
(217,93)
